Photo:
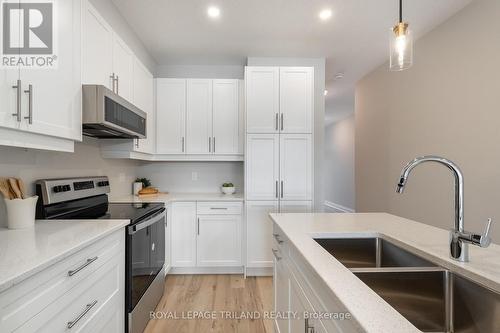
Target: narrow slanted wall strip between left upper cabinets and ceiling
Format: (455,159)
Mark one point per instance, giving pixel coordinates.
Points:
(112,15)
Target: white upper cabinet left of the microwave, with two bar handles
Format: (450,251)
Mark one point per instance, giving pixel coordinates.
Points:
(42,101)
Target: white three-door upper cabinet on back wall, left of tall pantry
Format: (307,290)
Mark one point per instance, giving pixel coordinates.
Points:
(199,119)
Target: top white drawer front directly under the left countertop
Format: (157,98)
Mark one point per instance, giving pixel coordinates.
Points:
(33,295)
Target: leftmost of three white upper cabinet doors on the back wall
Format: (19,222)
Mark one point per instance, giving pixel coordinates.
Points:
(170,116)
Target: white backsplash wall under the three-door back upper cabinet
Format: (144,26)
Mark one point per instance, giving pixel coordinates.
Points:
(177,176)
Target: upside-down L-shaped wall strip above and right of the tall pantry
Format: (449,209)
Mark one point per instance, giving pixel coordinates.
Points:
(319,113)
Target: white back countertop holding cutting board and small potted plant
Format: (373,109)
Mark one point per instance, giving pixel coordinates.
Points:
(173,197)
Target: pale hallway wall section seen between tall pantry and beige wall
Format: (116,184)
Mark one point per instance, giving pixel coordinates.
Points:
(339,162)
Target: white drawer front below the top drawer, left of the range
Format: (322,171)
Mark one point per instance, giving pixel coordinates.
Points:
(83,307)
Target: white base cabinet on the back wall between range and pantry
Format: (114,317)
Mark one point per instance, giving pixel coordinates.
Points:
(206,235)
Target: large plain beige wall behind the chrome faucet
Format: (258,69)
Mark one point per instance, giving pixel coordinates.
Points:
(448,104)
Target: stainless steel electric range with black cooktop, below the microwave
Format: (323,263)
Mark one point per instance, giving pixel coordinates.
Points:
(86,198)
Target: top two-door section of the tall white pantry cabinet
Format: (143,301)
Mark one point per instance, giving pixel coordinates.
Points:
(279,99)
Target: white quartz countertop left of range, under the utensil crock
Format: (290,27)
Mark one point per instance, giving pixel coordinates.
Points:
(25,252)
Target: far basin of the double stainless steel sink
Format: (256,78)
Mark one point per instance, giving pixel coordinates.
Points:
(371,252)
